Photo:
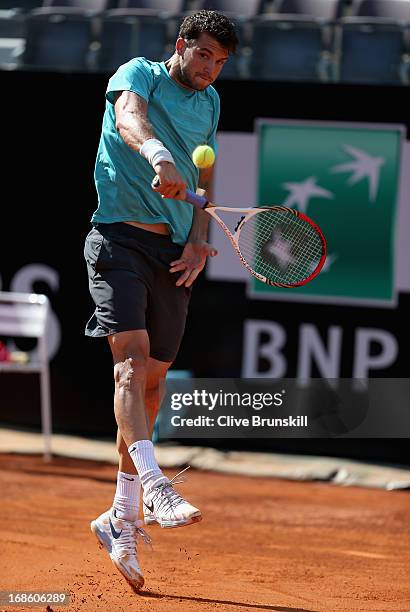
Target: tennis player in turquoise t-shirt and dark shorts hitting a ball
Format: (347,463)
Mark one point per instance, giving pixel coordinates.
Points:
(143,253)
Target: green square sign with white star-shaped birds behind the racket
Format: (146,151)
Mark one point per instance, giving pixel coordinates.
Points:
(345,177)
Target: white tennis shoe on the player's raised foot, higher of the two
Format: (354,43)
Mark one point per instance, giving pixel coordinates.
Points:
(163,505)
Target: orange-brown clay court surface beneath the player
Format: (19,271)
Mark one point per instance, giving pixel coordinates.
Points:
(264,543)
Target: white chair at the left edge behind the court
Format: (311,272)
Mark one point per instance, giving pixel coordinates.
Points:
(25,315)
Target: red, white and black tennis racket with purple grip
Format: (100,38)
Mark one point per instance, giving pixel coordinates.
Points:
(278,245)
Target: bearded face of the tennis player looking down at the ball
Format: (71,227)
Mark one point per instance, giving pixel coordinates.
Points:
(201,61)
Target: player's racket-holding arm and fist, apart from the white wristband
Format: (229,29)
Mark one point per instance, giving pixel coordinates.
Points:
(132,124)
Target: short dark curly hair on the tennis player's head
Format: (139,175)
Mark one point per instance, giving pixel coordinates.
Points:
(213,23)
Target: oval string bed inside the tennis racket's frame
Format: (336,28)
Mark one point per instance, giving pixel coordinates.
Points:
(281,246)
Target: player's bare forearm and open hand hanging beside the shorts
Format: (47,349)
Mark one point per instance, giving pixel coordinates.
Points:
(197,248)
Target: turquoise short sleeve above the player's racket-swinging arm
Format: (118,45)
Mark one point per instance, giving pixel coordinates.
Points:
(135,76)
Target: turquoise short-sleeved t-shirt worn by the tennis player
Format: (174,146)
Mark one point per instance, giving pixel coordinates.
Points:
(182,119)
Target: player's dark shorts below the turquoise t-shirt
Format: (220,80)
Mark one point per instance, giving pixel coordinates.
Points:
(132,287)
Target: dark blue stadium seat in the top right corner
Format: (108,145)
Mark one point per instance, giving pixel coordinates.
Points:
(371,43)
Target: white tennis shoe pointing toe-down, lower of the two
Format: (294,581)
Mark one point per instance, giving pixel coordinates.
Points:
(119,538)
